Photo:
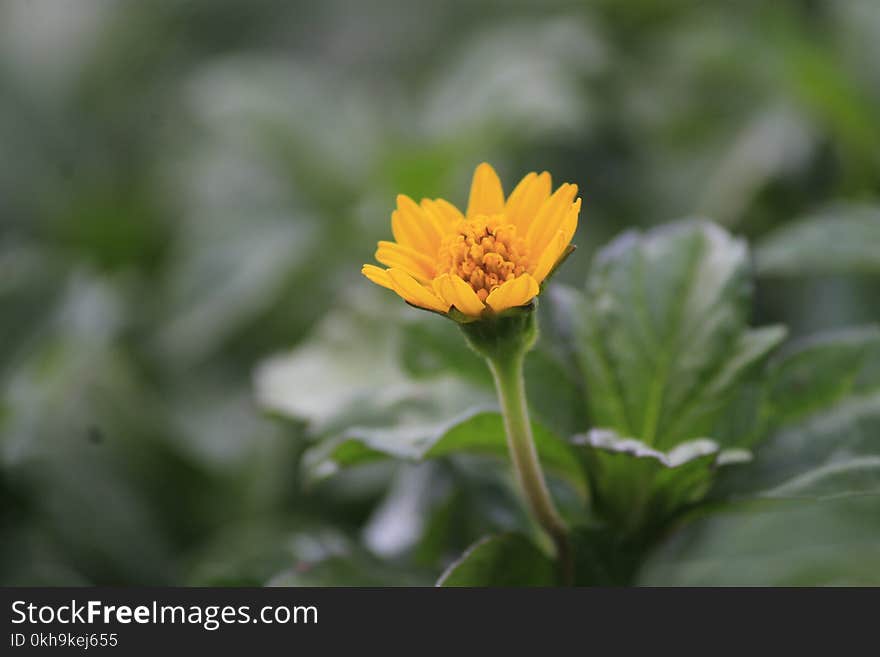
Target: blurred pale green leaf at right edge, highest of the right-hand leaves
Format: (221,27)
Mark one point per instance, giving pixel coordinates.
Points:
(842,239)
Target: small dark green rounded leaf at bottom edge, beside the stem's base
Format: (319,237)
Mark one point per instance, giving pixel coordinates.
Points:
(502,560)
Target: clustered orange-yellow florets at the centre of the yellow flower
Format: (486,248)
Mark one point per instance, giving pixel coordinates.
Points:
(484,251)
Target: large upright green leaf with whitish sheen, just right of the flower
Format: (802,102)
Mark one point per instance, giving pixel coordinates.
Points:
(661,334)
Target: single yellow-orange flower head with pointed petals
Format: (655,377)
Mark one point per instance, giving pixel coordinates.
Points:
(490,259)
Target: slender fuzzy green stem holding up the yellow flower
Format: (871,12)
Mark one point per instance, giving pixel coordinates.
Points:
(508,372)
